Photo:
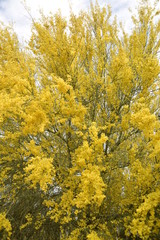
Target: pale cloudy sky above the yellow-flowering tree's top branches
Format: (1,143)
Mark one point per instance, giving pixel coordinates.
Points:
(13,11)
